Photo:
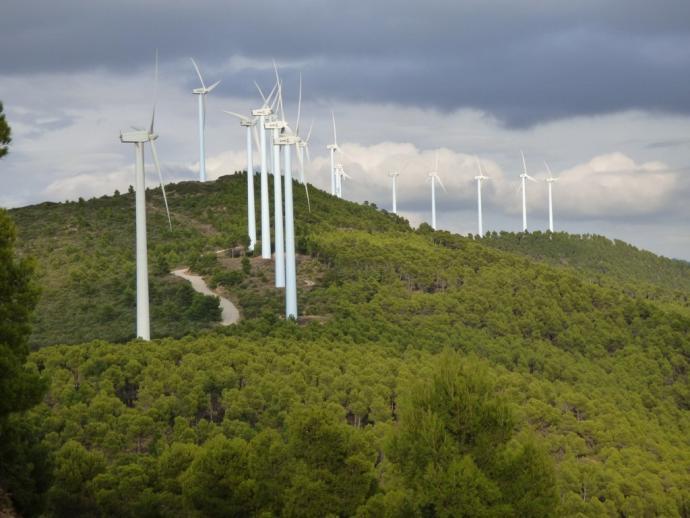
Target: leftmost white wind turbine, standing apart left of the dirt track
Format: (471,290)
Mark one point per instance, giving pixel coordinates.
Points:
(139,137)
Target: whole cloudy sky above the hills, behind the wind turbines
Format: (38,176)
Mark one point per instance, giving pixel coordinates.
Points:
(598,89)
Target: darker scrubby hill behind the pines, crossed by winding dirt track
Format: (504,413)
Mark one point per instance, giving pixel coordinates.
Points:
(85,254)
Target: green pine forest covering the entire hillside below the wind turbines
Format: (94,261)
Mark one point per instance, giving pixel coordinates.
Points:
(430,374)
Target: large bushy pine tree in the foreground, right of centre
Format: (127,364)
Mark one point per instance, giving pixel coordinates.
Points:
(453,451)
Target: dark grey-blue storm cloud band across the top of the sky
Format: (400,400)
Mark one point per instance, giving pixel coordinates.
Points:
(521,61)
